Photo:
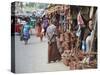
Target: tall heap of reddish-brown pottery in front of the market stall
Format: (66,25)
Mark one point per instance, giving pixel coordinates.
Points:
(71,54)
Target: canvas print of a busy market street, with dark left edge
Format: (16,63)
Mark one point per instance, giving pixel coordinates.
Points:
(70,42)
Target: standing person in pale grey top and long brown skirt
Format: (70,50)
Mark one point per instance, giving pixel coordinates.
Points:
(53,53)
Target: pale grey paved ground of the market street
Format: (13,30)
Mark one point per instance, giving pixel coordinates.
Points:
(33,57)
